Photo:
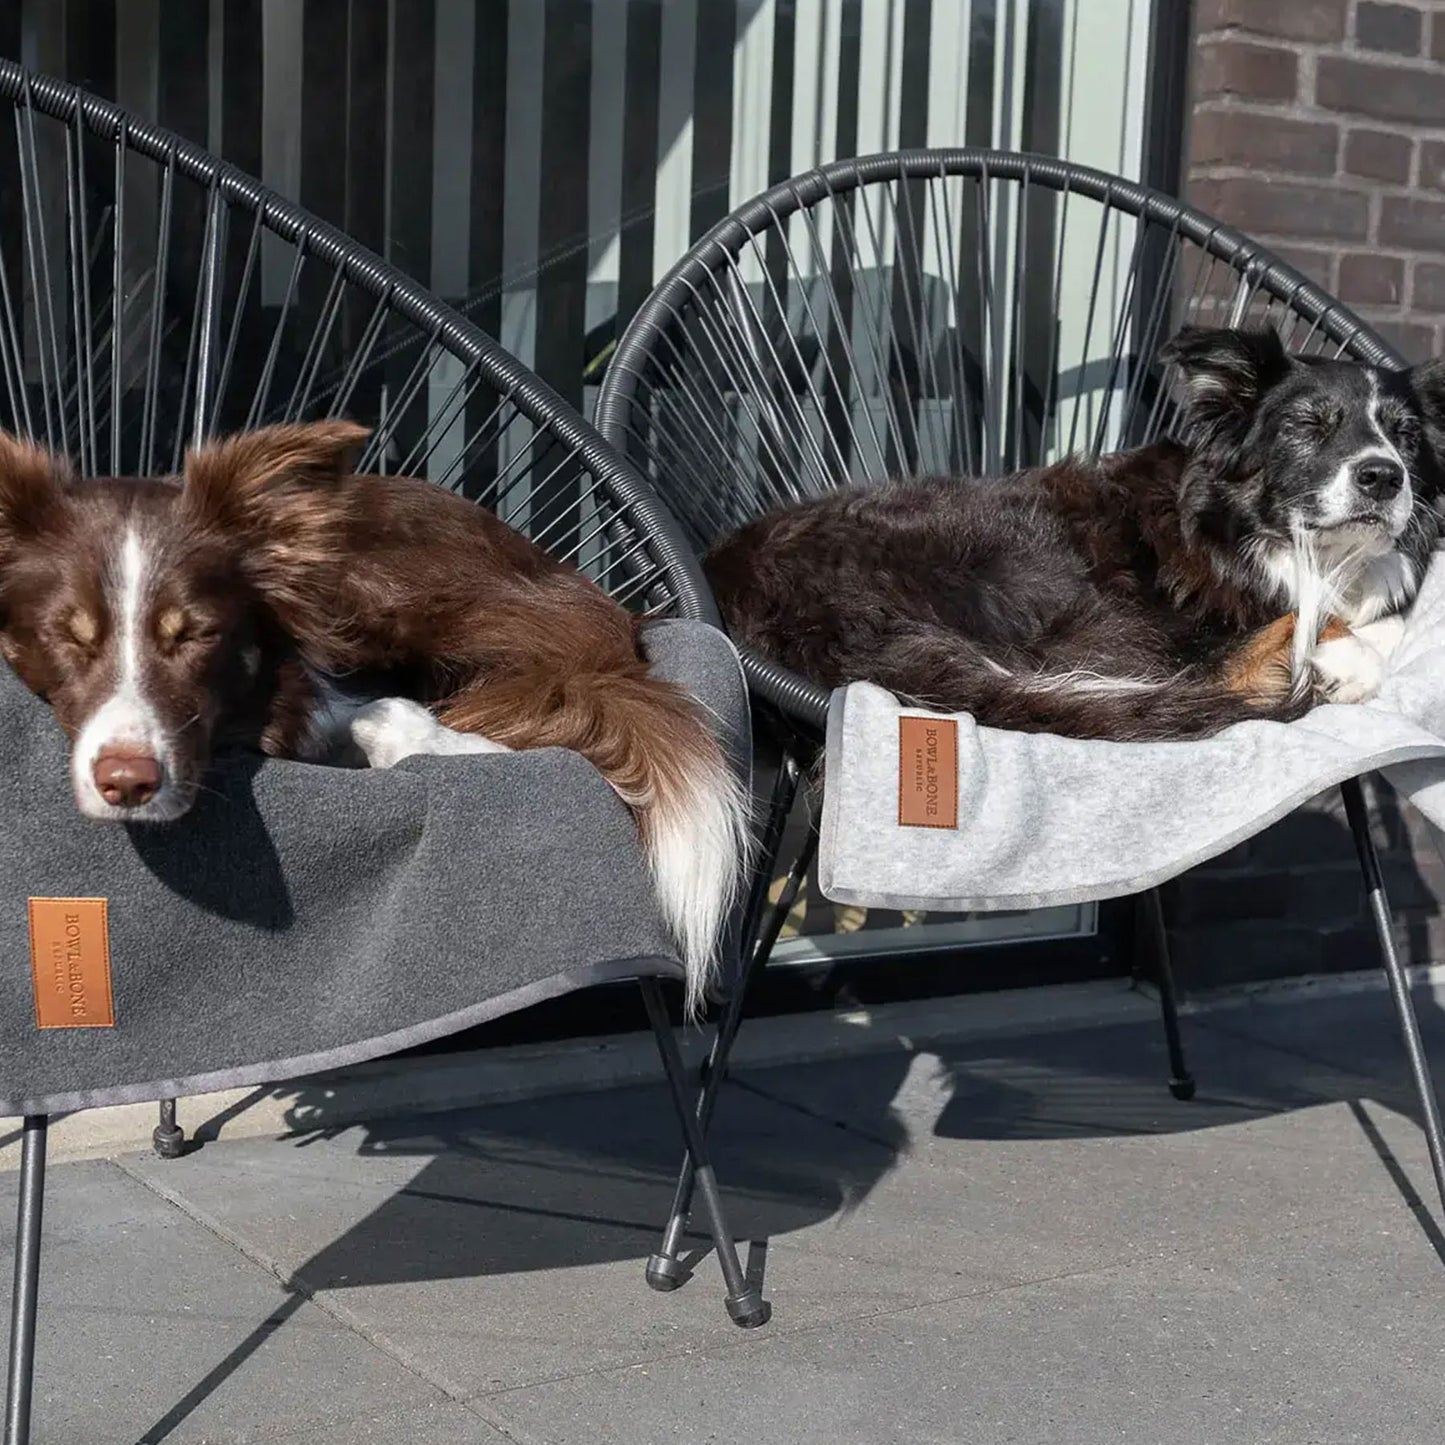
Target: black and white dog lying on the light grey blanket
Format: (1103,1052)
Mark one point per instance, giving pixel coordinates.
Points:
(1252,567)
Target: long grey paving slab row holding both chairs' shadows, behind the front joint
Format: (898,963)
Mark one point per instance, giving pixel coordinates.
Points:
(441,1239)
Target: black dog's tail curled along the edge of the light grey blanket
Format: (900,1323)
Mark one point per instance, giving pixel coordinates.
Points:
(1191,704)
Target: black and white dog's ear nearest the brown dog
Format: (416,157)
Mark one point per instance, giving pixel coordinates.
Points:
(1223,376)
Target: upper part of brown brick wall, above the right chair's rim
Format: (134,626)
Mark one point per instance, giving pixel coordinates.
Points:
(1320,128)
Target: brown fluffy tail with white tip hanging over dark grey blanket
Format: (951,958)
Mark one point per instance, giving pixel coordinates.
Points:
(652,745)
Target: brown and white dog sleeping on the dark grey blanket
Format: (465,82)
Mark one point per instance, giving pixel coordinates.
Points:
(271,599)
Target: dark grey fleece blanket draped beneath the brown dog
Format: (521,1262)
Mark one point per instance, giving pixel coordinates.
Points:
(304,918)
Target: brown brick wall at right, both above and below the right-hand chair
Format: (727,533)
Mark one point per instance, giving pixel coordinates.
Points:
(1319,126)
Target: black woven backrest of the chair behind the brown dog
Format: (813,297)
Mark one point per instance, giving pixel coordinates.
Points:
(152,296)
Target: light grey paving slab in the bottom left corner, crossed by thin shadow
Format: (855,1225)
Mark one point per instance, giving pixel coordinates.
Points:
(150,1323)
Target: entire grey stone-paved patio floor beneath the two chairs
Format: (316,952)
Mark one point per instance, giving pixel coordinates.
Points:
(1012,1241)
